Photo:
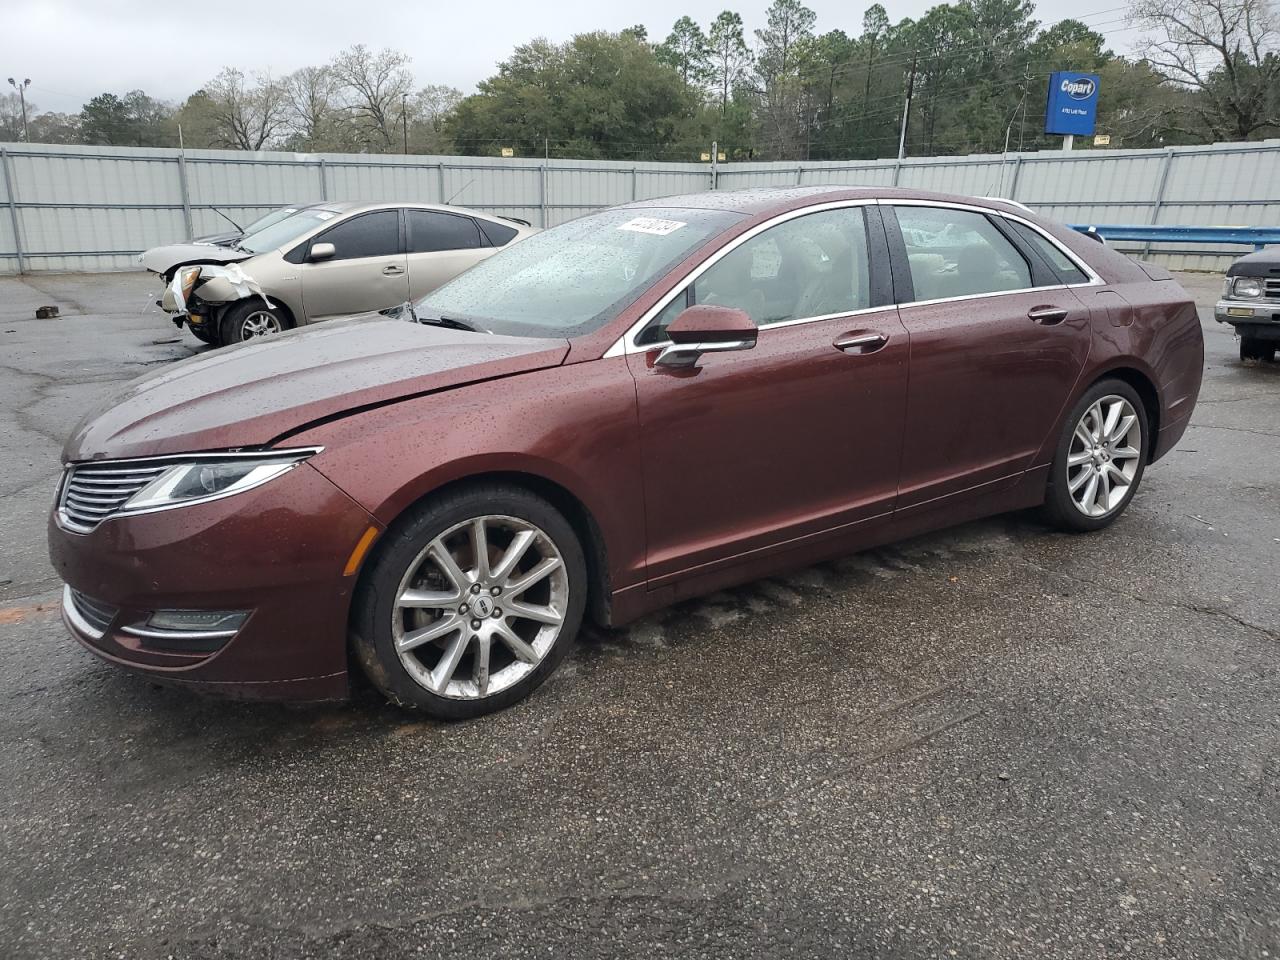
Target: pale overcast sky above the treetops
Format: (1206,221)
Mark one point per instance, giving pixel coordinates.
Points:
(76,49)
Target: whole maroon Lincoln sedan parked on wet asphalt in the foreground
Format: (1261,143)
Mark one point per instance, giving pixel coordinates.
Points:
(643,405)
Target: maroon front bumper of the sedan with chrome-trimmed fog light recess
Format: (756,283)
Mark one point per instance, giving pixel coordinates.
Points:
(277,551)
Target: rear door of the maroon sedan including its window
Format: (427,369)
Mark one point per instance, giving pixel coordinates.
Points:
(998,346)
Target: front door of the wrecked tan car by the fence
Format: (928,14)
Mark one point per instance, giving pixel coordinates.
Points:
(368,271)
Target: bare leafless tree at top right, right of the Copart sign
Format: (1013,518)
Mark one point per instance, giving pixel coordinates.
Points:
(1228,52)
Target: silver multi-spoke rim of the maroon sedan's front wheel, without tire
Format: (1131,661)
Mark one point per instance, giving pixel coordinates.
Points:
(481,607)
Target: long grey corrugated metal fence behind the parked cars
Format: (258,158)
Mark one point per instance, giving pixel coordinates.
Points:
(95,208)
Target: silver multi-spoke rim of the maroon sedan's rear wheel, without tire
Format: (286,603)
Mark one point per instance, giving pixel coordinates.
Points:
(1104,458)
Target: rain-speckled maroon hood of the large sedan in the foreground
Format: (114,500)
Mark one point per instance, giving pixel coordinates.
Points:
(254,394)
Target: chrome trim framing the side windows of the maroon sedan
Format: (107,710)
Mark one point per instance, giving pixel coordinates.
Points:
(627,344)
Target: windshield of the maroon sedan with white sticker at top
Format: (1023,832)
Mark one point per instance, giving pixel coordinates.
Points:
(578,277)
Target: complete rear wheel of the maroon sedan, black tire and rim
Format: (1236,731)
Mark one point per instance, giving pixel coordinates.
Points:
(1069,502)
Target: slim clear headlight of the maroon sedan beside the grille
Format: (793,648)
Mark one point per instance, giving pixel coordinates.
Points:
(214,477)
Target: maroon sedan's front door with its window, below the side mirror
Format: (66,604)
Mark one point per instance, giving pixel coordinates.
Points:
(753,451)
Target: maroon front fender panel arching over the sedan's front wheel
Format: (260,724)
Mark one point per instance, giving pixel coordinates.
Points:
(574,427)
